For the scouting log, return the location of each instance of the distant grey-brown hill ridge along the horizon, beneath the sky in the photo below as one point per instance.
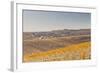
(58, 33)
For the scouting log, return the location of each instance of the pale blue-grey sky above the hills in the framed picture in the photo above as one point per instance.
(37, 21)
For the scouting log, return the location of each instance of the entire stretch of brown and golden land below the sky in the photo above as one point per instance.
(57, 45)
